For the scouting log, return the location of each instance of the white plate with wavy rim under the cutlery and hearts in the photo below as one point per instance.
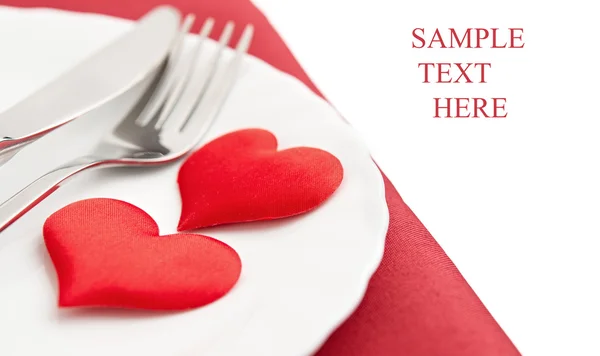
(301, 277)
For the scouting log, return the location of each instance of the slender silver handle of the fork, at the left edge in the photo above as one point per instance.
(19, 204)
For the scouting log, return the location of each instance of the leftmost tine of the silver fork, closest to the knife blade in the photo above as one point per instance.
(168, 78)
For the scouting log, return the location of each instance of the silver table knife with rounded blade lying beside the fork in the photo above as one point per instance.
(96, 80)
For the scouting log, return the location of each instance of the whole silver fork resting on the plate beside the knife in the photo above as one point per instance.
(163, 126)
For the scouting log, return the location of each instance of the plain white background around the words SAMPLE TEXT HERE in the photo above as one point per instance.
(514, 202)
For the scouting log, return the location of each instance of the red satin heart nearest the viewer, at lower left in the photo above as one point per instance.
(109, 253)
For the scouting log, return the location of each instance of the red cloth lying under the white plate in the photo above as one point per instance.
(417, 302)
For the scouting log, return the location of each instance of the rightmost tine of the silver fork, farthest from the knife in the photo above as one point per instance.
(217, 92)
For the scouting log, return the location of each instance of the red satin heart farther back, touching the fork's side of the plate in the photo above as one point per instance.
(241, 177)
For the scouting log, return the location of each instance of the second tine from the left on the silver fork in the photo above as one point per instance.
(185, 76)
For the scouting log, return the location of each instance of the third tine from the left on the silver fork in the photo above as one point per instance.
(196, 87)
